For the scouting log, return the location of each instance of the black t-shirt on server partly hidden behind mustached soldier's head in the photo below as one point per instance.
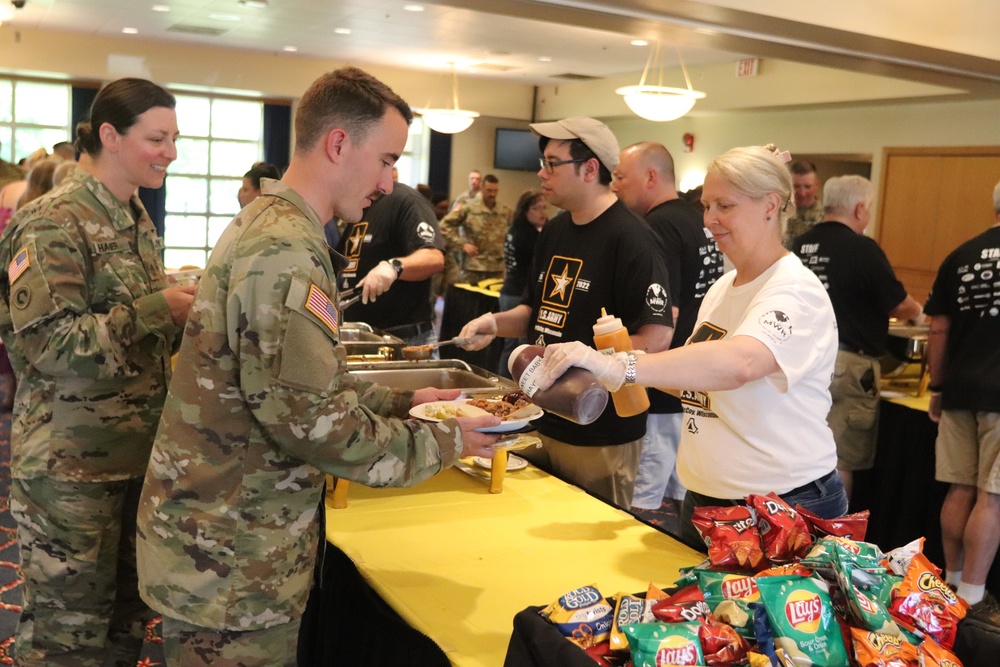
(395, 225)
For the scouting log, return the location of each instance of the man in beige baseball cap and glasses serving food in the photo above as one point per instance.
(595, 254)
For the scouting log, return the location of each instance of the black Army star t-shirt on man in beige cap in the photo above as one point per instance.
(612, 262)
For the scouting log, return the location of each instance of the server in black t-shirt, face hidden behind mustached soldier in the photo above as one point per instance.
(396, 245)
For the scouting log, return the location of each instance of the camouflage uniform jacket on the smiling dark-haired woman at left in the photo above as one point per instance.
(88, 332)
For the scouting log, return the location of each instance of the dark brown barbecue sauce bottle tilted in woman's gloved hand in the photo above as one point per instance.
(577, 396)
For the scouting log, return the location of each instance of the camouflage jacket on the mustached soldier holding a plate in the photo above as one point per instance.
(261, 406)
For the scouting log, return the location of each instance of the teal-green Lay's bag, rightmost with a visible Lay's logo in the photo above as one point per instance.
(803, 621)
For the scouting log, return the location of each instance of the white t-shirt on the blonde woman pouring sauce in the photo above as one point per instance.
(770, 434)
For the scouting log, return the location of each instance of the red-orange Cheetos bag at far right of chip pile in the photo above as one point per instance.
(926, 604)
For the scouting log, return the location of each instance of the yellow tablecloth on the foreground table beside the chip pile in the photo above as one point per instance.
(458, 563)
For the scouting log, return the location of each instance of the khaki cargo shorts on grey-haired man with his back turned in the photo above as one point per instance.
(853, 416)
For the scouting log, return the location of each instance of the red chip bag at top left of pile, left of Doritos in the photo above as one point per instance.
(732, 537)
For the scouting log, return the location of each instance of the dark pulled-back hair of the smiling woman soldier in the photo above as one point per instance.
(120, 103)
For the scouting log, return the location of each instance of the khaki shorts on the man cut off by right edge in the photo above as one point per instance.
(968, 449)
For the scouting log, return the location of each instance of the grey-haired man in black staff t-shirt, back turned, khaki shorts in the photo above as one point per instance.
(865, 293)
